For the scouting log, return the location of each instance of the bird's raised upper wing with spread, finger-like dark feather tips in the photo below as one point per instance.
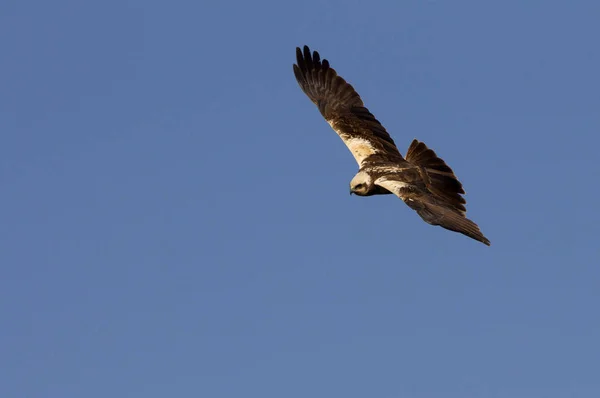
(343, 109)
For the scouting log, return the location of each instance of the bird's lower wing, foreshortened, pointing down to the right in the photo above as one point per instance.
(431, 210)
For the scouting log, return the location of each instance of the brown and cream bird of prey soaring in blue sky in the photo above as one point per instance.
(421, 179)
